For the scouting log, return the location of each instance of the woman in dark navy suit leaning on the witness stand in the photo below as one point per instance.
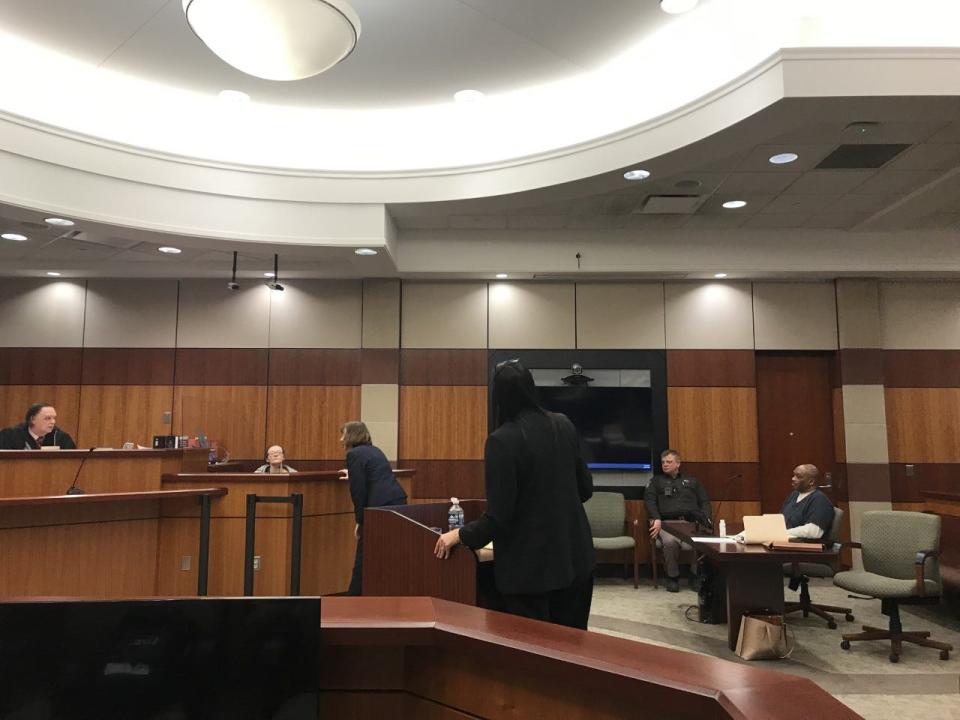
(372, 484)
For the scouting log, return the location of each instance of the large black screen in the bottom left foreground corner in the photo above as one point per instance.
(238, 658)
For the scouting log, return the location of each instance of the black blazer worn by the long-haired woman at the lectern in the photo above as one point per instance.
(536, 486)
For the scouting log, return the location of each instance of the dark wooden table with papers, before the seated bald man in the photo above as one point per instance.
(749, 577)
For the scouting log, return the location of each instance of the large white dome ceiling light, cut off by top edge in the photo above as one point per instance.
(276, 39)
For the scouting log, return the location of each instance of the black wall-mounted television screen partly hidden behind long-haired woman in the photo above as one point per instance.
(615, 423)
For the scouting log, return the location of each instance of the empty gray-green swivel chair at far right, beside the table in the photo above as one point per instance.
(900, 552)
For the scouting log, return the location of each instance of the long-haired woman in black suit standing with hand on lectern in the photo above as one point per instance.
(536, 486)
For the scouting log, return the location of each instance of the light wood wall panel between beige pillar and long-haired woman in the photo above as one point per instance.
(442, 423)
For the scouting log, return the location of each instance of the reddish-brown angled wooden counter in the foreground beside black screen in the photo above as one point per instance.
(417, 657)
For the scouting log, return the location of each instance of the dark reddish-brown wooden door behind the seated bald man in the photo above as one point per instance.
(795, 418)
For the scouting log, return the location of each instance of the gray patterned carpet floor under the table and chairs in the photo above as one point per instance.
(919, 686)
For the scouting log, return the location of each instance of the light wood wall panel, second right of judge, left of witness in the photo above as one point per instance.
(233, 416)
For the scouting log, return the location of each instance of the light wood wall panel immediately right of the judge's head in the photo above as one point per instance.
(113, 414)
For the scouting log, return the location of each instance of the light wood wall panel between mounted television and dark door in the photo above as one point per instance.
(713, 424)
